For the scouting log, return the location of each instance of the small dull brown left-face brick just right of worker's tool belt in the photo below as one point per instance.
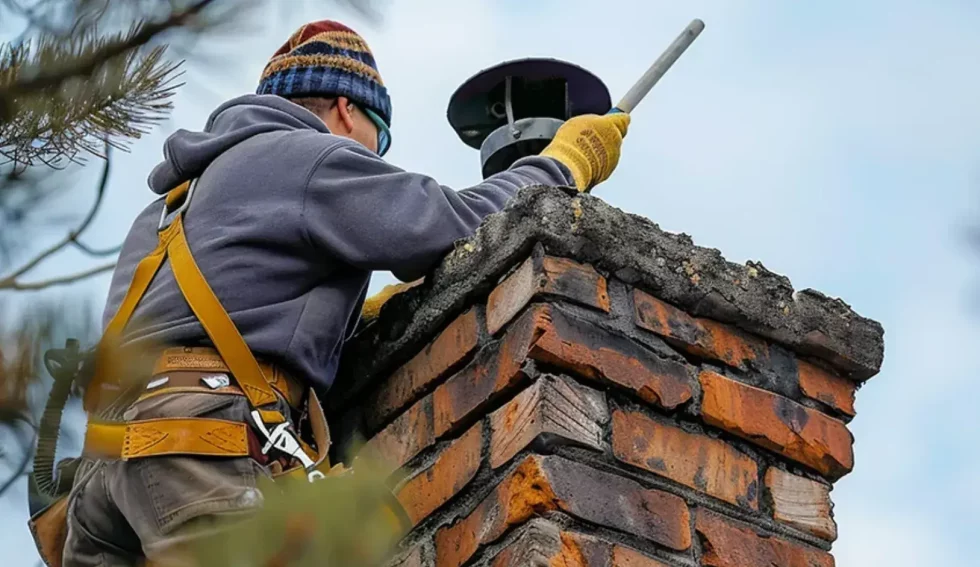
(405, 437)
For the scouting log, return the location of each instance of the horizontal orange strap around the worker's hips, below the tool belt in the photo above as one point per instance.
(168, 436)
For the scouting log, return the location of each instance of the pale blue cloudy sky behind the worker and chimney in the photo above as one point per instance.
(836, 142)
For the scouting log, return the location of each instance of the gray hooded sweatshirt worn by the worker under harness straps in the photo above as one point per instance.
(288, 221)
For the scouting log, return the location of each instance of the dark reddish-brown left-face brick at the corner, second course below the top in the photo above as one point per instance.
(495, 368)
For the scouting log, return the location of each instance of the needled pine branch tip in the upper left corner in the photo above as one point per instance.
(119, 100)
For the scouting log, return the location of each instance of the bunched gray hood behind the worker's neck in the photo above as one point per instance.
(186, 154)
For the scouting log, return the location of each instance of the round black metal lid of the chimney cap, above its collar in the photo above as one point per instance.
(543, 88)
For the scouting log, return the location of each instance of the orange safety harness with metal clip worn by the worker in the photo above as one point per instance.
(109, 439)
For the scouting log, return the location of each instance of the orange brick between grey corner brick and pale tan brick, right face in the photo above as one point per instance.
(697, 461)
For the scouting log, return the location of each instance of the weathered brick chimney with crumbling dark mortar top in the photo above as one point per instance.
(575, 387)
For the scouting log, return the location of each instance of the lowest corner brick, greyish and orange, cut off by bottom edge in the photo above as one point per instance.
(544, 543)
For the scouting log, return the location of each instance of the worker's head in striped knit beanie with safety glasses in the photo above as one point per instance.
(329, 70)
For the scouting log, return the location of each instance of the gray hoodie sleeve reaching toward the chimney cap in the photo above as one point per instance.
(377, 217)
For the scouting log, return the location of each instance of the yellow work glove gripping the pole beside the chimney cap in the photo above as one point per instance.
(589, 146)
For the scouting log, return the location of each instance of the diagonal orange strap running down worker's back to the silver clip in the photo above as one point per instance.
(219, 326)
